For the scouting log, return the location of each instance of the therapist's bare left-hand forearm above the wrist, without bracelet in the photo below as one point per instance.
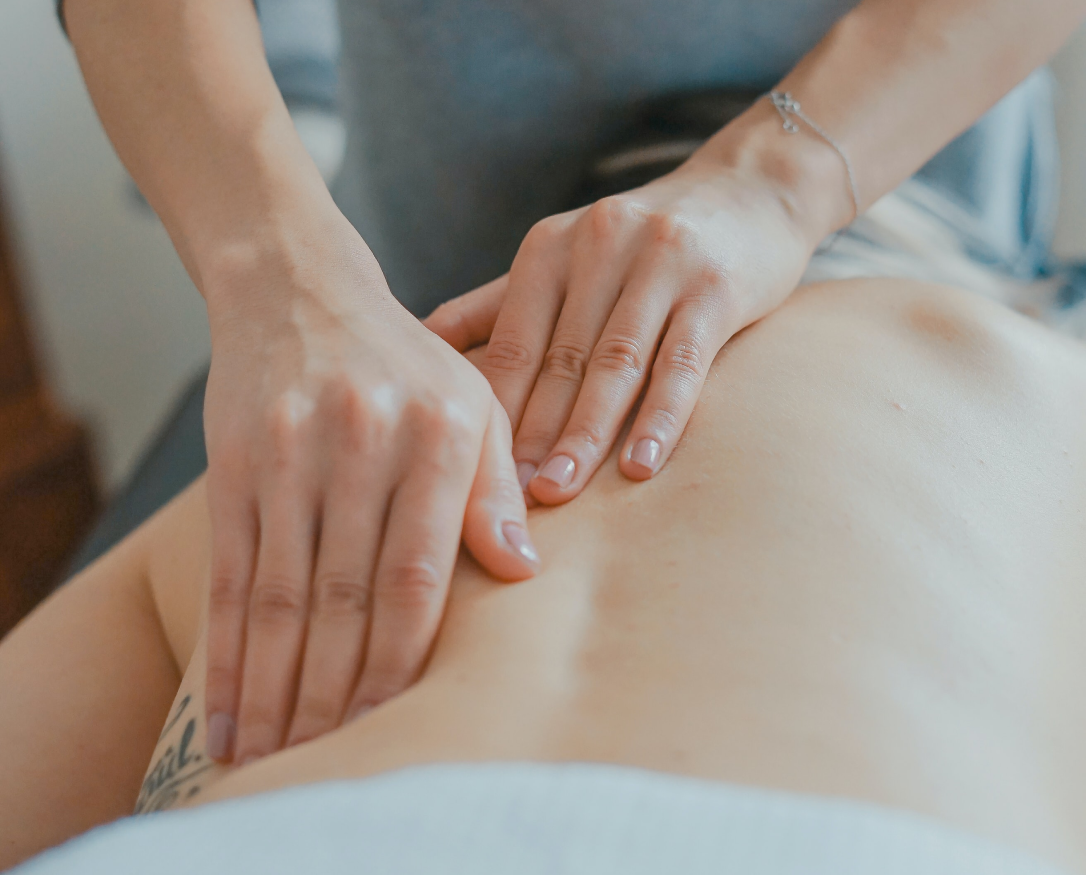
(186, 96)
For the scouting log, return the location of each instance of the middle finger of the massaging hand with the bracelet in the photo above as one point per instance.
(599, 267)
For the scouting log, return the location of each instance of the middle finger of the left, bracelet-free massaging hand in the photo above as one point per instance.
(353, 525)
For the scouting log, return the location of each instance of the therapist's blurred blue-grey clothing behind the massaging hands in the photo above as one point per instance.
(471, 120)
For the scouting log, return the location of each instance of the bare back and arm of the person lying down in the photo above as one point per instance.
(860, 577)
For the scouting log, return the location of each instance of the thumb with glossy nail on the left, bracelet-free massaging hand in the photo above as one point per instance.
(496, 523)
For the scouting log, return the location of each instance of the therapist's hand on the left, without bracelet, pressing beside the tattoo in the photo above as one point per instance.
(349, 450)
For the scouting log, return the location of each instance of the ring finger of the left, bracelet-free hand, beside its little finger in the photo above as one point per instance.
(279, 607)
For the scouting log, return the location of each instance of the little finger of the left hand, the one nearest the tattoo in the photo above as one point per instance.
(234, 549)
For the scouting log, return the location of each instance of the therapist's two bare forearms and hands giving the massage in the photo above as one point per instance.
(350, 449)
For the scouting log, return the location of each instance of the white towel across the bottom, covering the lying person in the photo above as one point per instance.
(532, 819)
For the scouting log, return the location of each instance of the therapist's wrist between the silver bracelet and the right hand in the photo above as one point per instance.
(805, 174)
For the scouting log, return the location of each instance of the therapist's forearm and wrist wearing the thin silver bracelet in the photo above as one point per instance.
(893, 83)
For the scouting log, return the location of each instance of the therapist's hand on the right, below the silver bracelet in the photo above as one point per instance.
(639, 288)
